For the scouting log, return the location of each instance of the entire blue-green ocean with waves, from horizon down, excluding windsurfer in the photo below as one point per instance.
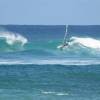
(33, 68)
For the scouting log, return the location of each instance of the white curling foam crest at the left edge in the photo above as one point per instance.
(12, 38)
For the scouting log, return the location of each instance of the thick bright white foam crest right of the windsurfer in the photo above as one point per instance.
(88, 42)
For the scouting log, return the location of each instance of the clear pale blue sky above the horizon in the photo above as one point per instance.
(50, 12)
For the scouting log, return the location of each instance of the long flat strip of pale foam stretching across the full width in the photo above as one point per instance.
(50, 62)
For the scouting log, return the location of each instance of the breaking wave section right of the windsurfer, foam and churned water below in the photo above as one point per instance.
(82, 47)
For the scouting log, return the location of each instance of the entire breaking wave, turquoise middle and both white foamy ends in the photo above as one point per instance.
(78, 46)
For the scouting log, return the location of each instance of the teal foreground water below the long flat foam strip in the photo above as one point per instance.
(49, 82)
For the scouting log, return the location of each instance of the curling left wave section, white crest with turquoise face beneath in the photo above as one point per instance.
(11, 41)
